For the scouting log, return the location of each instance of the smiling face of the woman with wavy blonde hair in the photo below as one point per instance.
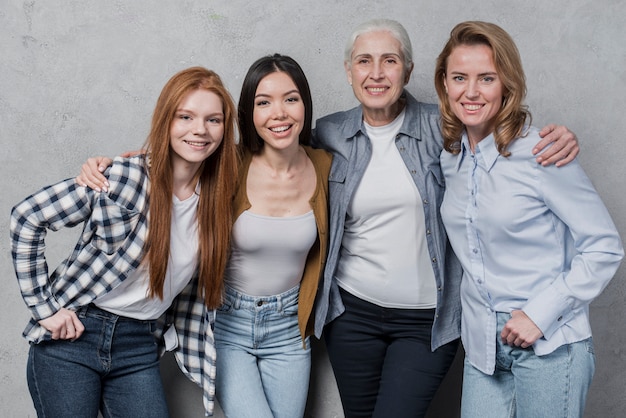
(474, 89)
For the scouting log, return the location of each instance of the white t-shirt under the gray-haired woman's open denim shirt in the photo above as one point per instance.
(384, 254)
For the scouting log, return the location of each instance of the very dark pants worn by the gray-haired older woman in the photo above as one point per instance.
(382, 359)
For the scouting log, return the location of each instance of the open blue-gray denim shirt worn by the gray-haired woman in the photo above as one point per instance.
(420, 144)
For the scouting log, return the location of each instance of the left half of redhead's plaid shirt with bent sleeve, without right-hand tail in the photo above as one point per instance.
(110, 246)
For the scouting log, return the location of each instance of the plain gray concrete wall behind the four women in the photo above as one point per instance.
(80, 78)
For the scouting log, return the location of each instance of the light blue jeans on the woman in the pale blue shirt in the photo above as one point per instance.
(525, 385)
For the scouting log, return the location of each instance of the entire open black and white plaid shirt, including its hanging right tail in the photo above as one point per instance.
(109, 248)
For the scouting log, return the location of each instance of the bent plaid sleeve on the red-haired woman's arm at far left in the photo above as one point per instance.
(60, 205)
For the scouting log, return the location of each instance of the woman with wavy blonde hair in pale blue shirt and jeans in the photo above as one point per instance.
(536, 243)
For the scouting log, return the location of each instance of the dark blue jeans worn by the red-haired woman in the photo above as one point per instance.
(113, 367)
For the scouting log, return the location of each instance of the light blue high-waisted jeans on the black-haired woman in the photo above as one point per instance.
(262, 367)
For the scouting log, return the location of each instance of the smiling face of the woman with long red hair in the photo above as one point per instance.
(197, 129)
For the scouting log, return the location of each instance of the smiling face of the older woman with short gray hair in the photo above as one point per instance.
(377, 74)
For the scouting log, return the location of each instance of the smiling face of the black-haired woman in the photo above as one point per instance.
(278, 111)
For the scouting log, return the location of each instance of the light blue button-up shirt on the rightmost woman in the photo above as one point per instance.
(528, 237)
